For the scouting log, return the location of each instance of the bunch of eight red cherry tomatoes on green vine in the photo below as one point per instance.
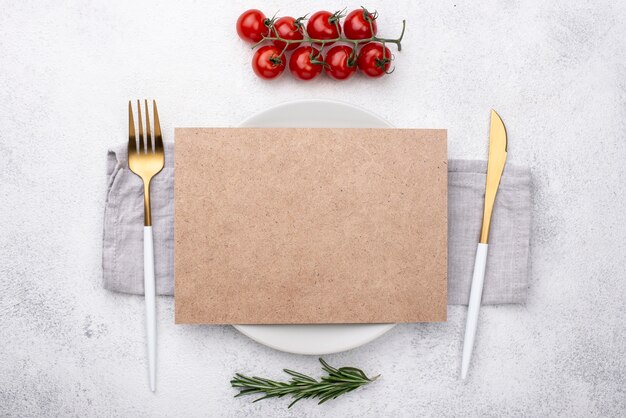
(359, 46)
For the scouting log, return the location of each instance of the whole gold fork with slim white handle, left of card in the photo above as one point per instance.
(146, 161)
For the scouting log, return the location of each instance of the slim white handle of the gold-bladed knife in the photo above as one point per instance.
(476, 293)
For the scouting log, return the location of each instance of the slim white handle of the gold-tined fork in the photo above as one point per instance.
(150, 296)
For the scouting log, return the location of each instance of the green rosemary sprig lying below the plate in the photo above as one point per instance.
(338, 382)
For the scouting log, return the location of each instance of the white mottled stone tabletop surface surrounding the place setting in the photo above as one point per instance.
(555, 70)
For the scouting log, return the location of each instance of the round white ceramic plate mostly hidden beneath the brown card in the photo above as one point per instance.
(315, 339)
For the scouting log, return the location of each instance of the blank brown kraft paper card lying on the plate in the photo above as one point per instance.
(310, 226)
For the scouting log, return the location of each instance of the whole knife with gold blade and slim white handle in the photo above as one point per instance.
(495, 167)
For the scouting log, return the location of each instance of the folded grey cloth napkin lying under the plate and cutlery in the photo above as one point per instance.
(507, 275)
